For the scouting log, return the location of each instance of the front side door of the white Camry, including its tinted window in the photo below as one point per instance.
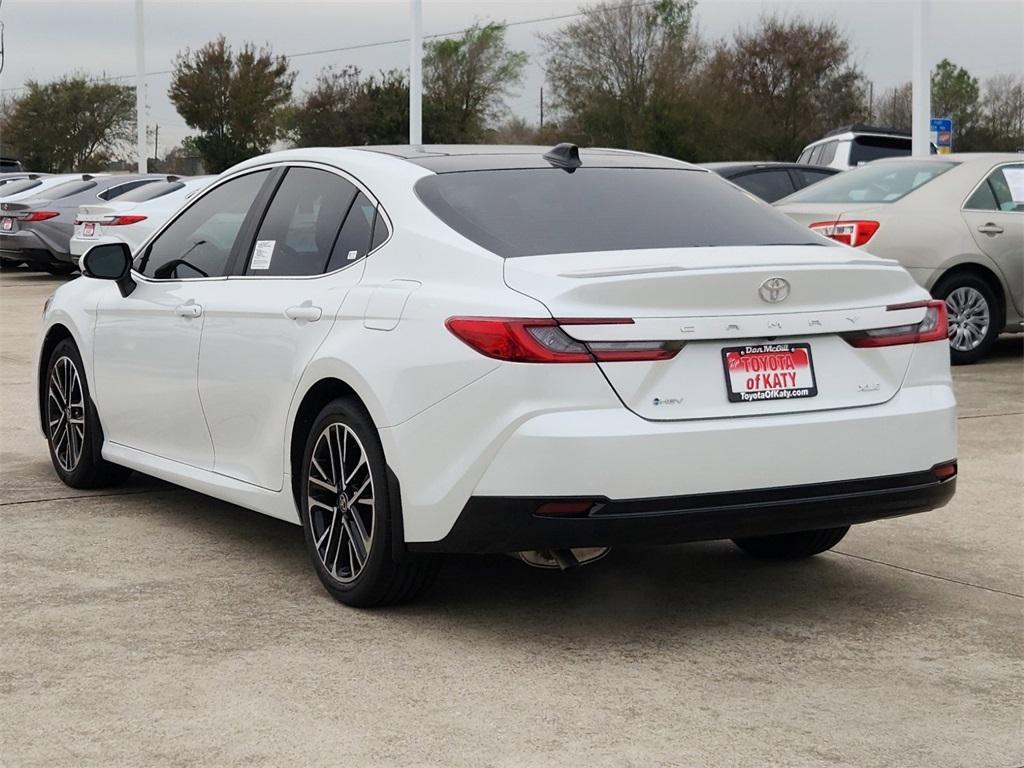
(148, 345)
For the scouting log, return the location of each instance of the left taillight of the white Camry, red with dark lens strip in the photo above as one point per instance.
(543, 340)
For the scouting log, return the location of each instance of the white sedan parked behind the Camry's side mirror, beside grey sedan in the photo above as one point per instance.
(134, 217)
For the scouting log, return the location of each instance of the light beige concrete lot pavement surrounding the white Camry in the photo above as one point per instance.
(151, 626)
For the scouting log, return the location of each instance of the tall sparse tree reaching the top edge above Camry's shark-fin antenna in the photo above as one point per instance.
(622, 75)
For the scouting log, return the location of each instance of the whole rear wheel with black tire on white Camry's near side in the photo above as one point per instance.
(330, 509)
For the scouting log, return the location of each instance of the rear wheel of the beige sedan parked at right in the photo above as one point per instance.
(974, 317)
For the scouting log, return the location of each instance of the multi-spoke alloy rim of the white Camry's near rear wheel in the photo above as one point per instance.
(340, 502)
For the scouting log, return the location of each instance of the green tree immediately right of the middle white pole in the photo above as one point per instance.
(466, 81)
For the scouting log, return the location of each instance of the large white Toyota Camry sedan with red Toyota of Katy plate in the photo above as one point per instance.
(412, 352)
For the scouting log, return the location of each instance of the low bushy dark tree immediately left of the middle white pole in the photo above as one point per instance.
(344, 109)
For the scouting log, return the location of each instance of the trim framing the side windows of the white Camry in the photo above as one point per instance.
(239, 258)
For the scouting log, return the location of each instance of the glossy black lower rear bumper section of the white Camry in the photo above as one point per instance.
(511, 524)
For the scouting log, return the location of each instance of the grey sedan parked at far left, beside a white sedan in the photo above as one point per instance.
(37, 231)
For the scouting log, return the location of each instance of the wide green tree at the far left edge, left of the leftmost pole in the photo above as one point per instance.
(71, 124)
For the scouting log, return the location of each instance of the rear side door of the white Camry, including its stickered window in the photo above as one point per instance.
(264, 328)
